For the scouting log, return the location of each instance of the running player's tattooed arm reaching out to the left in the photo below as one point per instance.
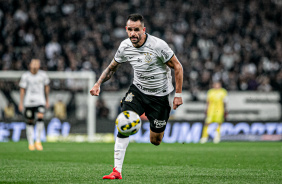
(106, 75)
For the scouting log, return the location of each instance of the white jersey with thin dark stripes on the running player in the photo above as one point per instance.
(151, 75)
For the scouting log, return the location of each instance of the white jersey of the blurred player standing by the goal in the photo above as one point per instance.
(34, 86)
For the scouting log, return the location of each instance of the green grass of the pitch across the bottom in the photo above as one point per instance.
(233, 162)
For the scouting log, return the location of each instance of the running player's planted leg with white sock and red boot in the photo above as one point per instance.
(131, 101)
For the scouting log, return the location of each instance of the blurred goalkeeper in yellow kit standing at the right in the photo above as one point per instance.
(215, 111)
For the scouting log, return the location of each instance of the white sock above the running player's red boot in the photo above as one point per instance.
(120, 148)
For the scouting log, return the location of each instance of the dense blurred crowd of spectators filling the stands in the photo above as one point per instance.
(237, 42)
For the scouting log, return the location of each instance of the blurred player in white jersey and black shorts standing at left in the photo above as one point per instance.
(34, 90)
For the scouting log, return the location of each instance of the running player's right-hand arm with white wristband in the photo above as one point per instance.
(178, 71)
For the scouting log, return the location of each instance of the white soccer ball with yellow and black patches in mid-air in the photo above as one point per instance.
(128, 123)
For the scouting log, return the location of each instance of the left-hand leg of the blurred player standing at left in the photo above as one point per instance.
(29, 114)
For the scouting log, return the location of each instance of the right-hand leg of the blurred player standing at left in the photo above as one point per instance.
(39, 127)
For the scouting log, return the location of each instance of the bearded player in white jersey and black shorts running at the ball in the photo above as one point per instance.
(151, 59)
